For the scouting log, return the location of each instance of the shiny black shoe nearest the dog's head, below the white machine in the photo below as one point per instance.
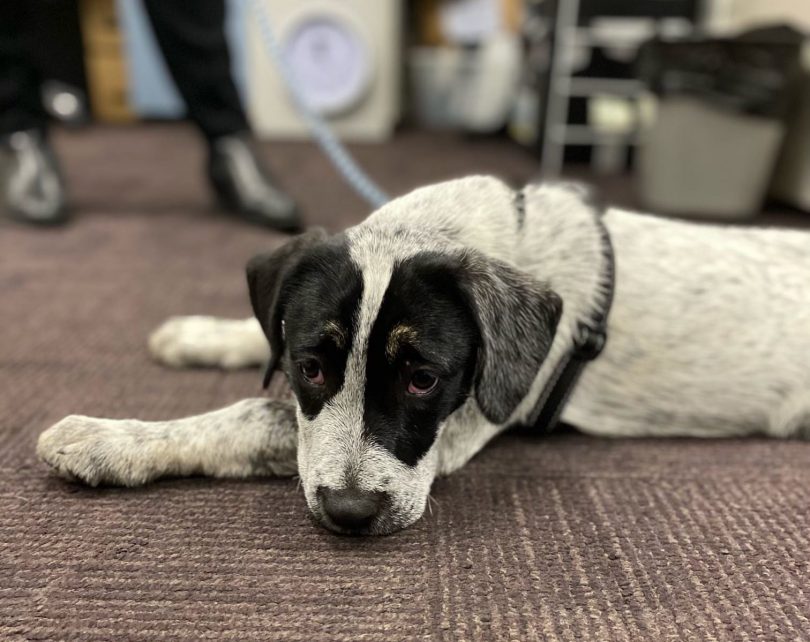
(244, 186)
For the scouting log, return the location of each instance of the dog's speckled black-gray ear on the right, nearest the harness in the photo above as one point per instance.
(517, 316)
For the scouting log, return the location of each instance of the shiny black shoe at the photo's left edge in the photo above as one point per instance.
(31, 186)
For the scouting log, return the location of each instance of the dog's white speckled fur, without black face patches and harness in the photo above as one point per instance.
(709, 335)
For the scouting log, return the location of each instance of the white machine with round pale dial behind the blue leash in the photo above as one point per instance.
(345, 59)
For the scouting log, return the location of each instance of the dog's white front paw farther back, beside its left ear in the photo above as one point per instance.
(183, 342)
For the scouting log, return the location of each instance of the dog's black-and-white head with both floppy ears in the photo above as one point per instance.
(382, 340)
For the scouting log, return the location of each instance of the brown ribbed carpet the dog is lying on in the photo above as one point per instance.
(564, 538)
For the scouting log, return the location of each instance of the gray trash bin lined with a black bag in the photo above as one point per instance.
(719, 124)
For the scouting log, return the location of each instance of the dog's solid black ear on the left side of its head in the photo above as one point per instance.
(266, 275)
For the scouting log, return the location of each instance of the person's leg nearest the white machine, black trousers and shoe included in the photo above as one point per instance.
(191, 36)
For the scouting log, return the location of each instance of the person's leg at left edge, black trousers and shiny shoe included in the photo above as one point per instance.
(31, 188)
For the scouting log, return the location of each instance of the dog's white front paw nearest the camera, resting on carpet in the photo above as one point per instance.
(95, 451)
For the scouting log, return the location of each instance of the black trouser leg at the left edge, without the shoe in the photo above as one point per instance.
(20, 102)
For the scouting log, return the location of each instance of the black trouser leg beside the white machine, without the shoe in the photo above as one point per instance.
(192, 37)
